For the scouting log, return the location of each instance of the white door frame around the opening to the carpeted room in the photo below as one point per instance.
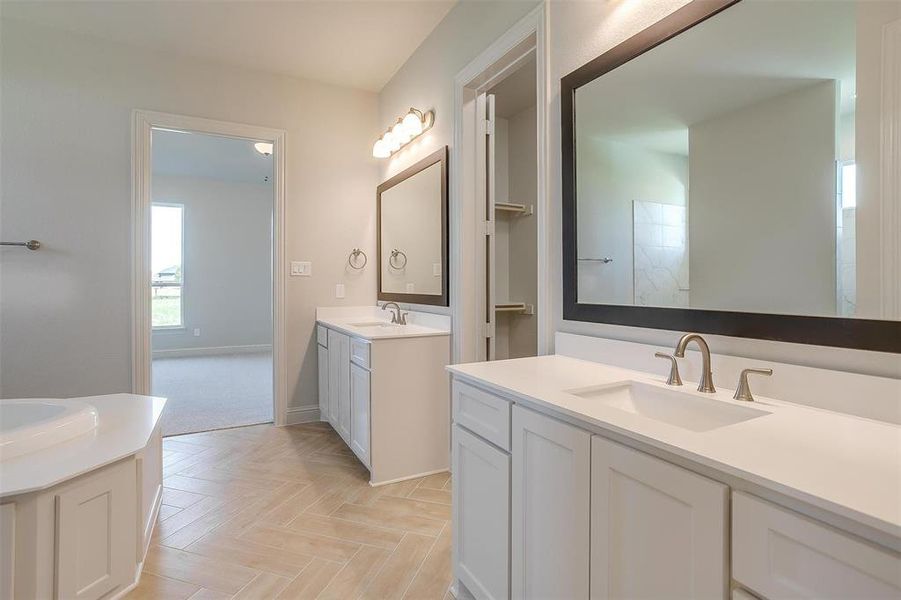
(143, 121)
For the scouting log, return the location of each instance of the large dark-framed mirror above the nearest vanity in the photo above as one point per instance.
(730, 170)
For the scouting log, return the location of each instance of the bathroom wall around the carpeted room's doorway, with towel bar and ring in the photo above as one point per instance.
(65, 117)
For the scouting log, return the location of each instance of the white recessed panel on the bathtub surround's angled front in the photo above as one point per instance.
(96, 533)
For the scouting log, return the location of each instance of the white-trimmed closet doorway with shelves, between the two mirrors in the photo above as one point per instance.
(500, 295)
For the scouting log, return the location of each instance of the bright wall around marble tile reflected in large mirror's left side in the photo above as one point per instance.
(611, 176)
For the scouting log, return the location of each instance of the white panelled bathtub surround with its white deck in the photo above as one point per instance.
(76, 516)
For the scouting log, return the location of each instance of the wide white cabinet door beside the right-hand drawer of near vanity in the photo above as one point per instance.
(657, 530)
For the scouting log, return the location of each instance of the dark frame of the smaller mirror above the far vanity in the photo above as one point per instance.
(443, 299)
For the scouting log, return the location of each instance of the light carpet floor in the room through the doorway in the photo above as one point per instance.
(214, 392)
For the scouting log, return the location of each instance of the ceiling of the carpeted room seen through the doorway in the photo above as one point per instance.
(208, 156)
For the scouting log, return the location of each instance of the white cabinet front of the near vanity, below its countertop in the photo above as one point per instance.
(590, 517)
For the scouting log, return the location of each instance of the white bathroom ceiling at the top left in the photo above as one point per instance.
(304, 39)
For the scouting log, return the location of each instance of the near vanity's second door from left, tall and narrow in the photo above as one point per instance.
(550, 507)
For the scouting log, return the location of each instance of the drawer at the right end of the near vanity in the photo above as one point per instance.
(780, 554)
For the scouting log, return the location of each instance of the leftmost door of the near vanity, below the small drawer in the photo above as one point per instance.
(481, 501)
